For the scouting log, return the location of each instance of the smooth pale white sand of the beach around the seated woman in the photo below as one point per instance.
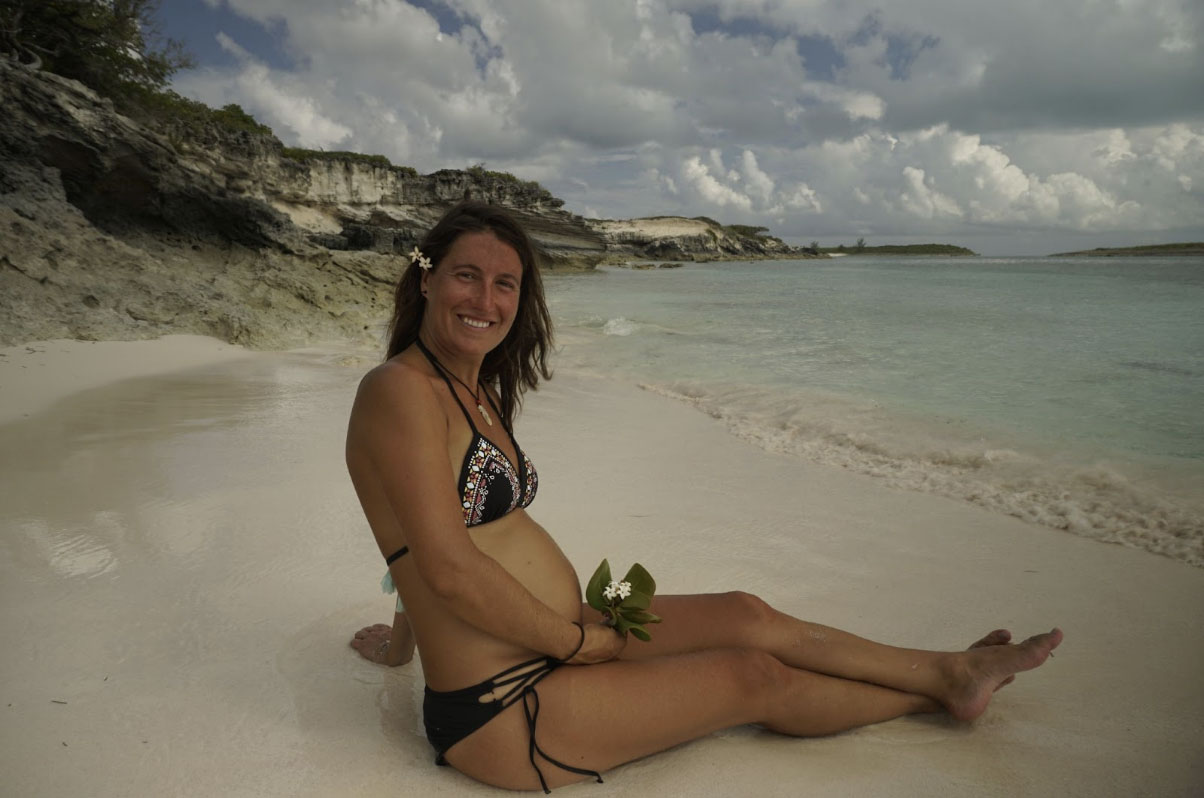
(182, 561)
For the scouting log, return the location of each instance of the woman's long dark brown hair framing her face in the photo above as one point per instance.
(516, 365)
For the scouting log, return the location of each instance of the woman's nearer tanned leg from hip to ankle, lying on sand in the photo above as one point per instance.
(604, 716)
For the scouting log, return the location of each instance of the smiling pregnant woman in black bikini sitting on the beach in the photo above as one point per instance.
(526, 687)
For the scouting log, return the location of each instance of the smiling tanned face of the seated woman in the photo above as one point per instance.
(473, 295)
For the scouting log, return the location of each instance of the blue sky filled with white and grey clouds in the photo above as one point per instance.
(1010, 127)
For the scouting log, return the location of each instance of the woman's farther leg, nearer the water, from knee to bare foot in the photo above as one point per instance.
(963, 682)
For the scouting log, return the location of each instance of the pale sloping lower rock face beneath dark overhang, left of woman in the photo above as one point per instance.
(63, 277)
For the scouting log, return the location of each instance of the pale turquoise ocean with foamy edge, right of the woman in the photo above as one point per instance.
(1066, 392)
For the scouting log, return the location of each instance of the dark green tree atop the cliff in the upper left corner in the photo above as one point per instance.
(113, 46)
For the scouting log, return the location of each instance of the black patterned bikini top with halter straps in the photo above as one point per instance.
(489, 484)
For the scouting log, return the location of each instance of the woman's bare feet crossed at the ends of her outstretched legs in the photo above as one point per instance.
(985, 667)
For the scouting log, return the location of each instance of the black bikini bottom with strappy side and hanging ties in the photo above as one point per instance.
(453, 716)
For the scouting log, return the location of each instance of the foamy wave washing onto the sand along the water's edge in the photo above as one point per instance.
(1093, 498)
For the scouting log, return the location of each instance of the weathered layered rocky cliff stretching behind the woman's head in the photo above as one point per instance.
(111, 229)
